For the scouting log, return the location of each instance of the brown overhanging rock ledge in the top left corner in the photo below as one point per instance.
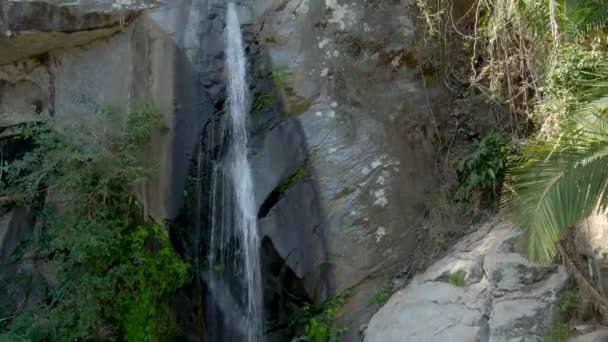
(31, 28)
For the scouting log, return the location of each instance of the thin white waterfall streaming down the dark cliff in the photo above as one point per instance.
(234, 258)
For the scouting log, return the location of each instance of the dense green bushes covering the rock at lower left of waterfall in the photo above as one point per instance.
(109, 269)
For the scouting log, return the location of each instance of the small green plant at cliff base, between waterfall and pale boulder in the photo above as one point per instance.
(321, 326)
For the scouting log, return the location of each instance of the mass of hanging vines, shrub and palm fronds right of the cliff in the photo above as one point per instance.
(542, 65)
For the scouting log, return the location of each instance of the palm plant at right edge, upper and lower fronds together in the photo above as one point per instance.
(564, 179)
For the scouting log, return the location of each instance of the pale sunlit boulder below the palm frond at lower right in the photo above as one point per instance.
(502, 297)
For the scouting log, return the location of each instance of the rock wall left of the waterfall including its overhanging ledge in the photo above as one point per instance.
(153, 59)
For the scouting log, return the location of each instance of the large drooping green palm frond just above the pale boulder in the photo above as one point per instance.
(558, 189)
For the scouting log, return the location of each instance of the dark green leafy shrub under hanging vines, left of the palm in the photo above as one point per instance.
(483, 169)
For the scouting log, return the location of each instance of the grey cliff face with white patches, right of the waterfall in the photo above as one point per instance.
(354, 106)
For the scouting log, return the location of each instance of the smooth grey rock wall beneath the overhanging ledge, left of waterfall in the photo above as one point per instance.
(154, 59)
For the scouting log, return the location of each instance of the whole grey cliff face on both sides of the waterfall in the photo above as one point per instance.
(342, 136)
